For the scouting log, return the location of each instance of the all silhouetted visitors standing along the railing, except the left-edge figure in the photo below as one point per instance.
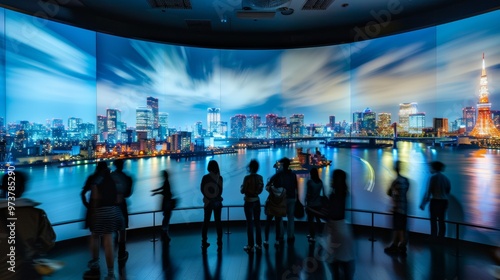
(107, 210)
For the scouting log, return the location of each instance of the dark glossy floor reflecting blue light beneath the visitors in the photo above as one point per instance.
(183, 258)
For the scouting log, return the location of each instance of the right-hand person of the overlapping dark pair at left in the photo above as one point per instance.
(123, 184)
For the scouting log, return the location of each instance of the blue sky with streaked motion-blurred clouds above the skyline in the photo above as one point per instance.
(58, 71)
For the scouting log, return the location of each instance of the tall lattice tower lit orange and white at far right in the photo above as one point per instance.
(484, 127)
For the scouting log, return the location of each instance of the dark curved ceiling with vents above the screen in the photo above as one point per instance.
(252, 24)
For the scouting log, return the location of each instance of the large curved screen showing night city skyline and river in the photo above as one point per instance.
(72, 96)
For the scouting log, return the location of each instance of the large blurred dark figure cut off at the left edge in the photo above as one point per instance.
(31, 230)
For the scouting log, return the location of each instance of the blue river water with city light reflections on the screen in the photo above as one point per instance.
(475, 185)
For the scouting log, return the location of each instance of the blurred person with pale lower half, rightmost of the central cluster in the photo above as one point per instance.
(339, 238)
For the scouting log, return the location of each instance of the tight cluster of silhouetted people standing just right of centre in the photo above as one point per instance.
(283, 194)
